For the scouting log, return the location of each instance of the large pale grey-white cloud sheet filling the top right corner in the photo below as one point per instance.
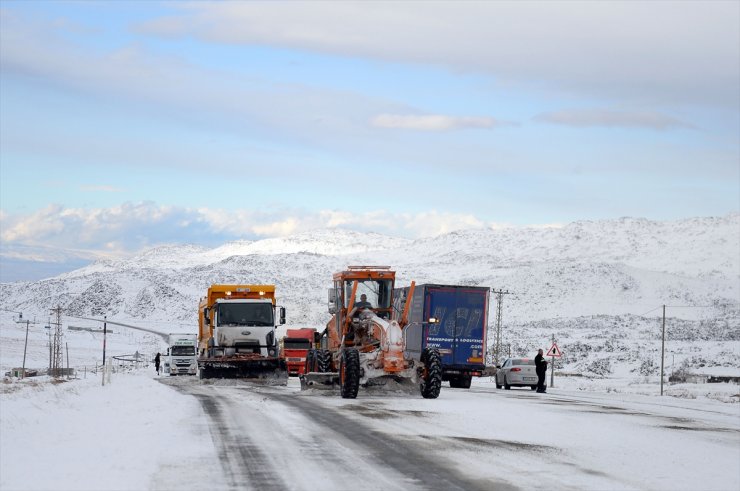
(678, 52)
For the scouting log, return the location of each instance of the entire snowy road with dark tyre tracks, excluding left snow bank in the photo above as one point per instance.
(282, 438)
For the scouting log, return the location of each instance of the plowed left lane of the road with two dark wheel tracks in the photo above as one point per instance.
(275, 438)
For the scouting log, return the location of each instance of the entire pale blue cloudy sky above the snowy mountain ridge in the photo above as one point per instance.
(125, 125)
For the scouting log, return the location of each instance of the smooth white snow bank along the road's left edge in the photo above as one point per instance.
(80, 435)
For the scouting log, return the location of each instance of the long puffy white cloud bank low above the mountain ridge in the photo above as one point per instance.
(131, 227)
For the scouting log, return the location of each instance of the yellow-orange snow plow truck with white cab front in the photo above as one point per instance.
(236, 335)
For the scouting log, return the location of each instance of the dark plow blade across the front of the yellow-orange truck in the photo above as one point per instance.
(244, 366)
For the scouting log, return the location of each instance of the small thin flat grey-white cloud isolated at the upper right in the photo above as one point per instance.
(613, 118)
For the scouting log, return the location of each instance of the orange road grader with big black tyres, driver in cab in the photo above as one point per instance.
(364, 342)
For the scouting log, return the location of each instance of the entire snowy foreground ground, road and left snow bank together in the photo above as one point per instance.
(142, 432)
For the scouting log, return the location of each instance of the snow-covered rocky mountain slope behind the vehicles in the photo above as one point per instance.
(585, 283)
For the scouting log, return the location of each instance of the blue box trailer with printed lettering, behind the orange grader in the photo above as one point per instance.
(459, 331)
